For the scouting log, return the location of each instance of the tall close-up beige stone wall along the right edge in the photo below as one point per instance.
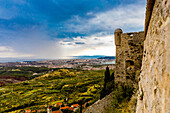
(154, 85)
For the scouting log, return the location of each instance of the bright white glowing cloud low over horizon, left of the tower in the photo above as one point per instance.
(92, 45)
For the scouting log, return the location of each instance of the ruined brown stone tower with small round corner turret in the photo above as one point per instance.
(129, 52)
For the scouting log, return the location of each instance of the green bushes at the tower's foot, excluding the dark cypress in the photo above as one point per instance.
(125, 97)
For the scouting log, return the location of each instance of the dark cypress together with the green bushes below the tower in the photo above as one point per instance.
(124, 96)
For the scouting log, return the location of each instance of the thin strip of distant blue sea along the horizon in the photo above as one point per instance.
(3, 60)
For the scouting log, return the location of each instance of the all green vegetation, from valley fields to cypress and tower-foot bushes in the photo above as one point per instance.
(68, 86)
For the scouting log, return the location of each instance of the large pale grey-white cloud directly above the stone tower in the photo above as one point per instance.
(123, 17)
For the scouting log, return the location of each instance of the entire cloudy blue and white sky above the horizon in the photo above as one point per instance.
(51, 29)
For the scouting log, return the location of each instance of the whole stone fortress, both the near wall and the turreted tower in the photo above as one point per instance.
(149, 53)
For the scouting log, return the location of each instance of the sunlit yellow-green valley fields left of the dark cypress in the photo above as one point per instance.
(76, 85)
